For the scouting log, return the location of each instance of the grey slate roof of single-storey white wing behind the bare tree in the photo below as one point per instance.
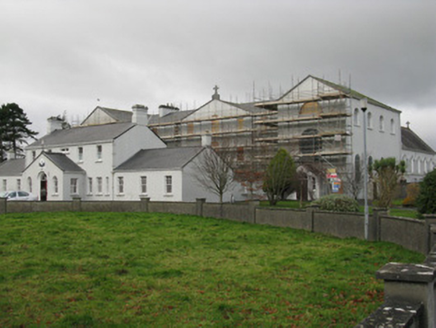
(160, 159)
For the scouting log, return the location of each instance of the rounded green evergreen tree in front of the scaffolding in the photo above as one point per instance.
(279, 176)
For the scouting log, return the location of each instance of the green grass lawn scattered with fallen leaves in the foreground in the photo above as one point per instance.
(163, 270)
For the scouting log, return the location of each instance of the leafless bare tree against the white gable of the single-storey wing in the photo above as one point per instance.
(214, 172)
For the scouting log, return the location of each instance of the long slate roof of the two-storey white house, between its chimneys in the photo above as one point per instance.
(82, 135)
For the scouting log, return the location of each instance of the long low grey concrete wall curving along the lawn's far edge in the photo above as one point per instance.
(409, 233)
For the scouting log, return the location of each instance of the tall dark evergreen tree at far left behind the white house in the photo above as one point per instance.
(14, 129)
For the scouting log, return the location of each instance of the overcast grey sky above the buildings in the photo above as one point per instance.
(61, 56)
